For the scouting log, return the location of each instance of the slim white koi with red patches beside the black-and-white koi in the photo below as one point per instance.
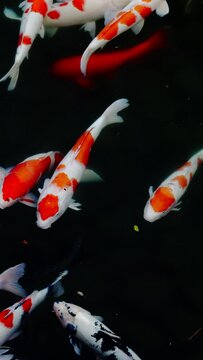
(13, 317)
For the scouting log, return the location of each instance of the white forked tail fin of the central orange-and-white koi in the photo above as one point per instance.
(110, 115)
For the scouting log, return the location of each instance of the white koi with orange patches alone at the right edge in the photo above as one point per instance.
(166, 197)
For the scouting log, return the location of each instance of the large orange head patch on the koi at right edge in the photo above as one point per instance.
(163, 198)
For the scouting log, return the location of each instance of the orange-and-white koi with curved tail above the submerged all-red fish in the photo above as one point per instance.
(132, 16)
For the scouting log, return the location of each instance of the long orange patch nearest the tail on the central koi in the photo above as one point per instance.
(83, 147)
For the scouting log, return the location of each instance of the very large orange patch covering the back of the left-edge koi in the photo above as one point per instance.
(23, 177)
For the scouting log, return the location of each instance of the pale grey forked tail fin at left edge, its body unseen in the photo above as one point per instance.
(9, 280)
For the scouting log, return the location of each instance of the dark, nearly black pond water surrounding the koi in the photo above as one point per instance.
(147, 285)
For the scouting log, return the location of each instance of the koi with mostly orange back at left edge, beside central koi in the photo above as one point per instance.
(15, 183)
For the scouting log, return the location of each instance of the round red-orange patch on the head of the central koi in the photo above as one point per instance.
(48, 206)
